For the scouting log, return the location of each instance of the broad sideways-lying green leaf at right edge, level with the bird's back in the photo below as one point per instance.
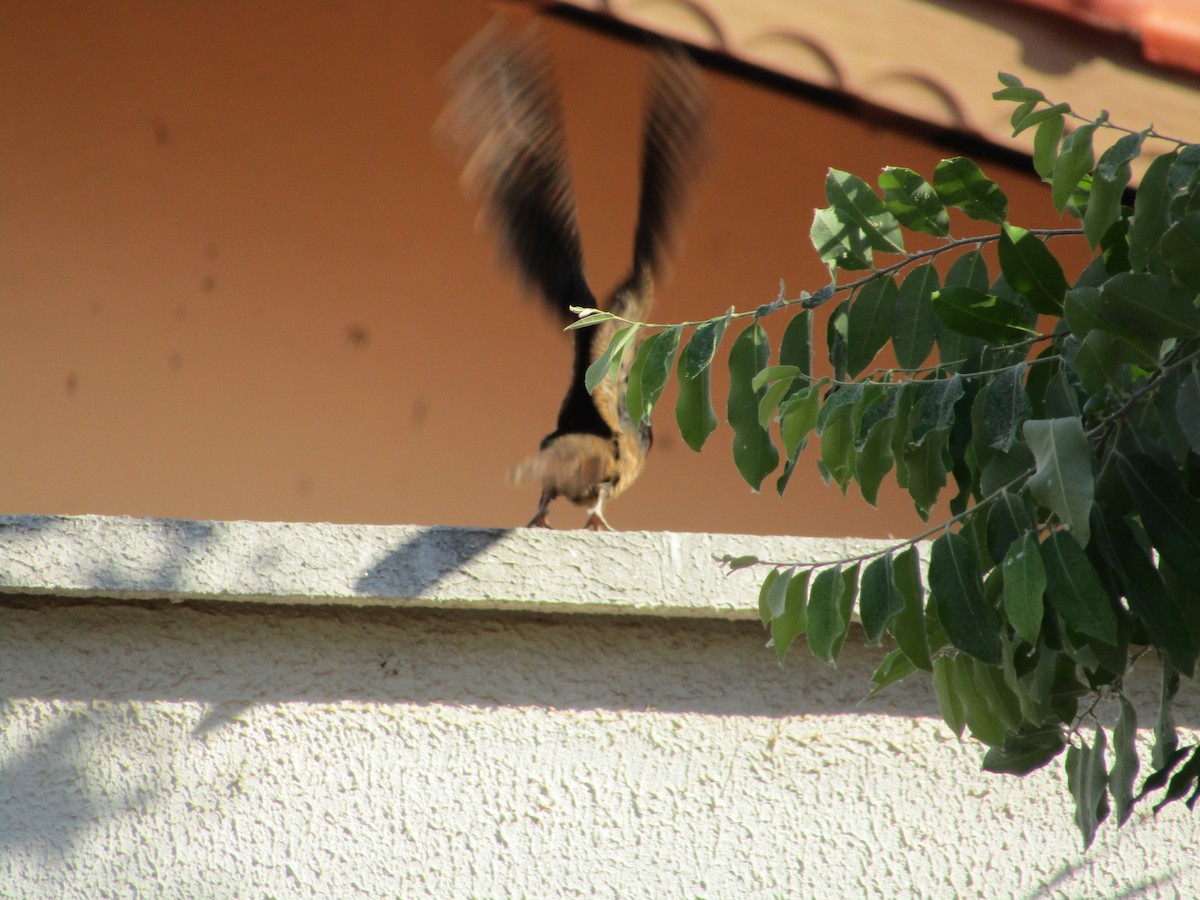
(1149, 307)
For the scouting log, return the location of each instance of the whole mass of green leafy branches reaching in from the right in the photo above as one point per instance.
(1059, 415)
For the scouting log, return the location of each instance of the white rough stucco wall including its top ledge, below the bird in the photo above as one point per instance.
(245, 742)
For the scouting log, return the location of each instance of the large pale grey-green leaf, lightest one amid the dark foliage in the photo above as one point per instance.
(1064, 481)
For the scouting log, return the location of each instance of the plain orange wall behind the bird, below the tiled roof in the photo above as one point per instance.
(239, 278)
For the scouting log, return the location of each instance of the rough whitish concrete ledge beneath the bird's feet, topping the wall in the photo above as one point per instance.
(629, 573)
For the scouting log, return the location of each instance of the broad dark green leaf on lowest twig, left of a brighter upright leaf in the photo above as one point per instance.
(955, 579)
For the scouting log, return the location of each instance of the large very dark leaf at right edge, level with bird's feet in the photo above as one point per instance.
(1171, 515)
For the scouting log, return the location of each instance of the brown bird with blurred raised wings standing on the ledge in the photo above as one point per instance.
(506, 117)
